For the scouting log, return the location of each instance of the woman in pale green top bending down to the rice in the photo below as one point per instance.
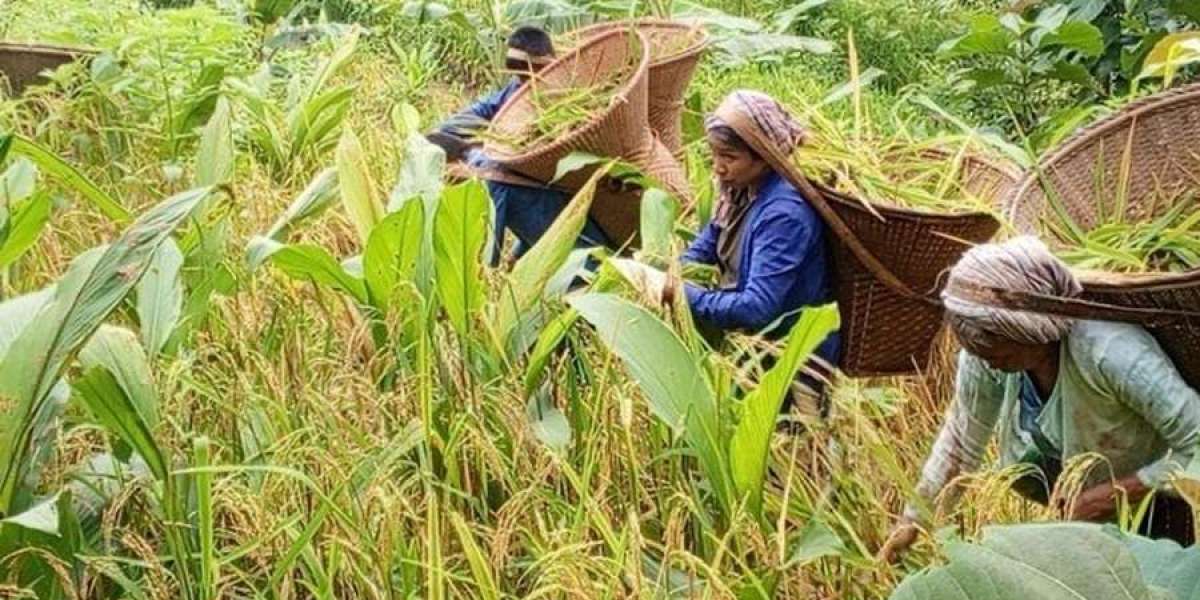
(1055, 389)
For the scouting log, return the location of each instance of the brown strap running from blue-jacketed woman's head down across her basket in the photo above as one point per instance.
(748, 131)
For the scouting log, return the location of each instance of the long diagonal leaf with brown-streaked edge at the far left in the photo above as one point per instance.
(93, 287)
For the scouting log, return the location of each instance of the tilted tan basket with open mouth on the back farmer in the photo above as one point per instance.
(622, 131)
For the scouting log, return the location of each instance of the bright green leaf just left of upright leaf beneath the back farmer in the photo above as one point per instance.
(393, 253)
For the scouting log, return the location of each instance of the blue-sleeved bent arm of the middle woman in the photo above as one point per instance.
(781, 244)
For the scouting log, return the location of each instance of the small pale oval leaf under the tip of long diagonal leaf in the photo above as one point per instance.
(161, 298)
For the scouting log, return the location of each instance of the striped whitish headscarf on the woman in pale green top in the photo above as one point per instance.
(1023, 265)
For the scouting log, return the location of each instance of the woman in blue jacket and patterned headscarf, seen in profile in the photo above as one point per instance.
(765, 239)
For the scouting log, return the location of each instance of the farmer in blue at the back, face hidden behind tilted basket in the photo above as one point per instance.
(527, 211)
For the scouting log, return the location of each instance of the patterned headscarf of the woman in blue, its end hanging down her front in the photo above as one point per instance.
(781, 130)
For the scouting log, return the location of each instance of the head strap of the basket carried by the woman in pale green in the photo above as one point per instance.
(1073, 308)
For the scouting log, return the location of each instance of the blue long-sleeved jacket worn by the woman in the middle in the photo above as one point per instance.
(784, 266)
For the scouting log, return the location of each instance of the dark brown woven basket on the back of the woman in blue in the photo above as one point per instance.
(886, 331)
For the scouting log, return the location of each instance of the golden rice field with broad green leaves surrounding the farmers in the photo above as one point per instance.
(250, 347)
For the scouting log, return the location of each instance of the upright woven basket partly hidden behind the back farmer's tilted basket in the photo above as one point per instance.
(669, 75)
